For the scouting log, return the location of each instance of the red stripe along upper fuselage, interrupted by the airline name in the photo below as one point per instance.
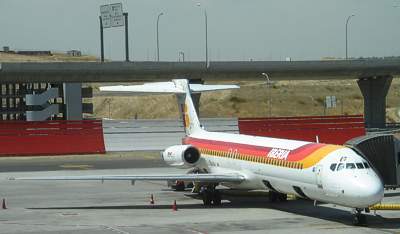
(260, 151)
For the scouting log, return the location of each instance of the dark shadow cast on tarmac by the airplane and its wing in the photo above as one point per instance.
(298, 207)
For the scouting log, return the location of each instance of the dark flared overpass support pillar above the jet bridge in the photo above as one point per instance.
(374, 90)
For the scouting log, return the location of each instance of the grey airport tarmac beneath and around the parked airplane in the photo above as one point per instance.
(119, 207)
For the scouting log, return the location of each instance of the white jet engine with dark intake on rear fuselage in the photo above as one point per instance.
(181, 156)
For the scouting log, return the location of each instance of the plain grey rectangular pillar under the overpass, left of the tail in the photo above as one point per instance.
(72, 101)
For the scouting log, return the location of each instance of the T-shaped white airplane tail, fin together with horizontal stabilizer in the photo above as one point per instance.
(182, 89)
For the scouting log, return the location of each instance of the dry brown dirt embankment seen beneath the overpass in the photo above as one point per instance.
(288, 98)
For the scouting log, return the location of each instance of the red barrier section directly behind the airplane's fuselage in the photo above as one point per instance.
(329, 129)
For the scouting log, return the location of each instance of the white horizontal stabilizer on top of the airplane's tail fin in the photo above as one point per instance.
(165, 88)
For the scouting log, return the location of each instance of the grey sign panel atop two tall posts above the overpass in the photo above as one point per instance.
(112, 15)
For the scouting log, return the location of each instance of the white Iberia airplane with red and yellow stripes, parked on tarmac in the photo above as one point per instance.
(320, 172)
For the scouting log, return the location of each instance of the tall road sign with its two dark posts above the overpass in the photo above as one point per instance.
(112, 15)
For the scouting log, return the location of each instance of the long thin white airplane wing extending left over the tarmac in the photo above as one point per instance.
(211, 178)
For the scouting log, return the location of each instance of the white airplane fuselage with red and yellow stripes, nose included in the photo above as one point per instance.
(322, 172)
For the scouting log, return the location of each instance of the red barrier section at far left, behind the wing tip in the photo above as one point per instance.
(21, 138)
